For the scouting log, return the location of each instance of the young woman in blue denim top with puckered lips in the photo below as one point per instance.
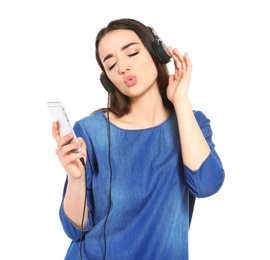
(130, 192)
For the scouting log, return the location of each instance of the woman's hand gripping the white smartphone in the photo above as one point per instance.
(70, 160)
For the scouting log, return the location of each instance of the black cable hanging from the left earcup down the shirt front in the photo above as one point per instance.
(110, 188)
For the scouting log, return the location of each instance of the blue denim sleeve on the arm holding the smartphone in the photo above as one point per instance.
(72, 231)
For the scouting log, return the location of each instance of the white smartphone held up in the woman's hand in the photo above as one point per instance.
(59, 115)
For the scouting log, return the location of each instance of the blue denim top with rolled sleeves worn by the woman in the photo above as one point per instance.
(152, 191)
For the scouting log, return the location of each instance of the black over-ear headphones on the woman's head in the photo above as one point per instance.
(160, 50)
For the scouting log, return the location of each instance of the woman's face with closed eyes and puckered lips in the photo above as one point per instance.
(127, 62)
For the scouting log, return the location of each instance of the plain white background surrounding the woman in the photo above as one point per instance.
(47, 53)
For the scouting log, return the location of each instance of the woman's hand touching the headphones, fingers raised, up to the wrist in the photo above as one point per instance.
(179, 82)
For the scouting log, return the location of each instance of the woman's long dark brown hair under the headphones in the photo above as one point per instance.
(119, 103)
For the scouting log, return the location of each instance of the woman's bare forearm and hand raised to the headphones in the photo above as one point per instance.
(193, 144)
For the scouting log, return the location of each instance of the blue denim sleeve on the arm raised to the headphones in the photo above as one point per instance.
(208, 179)
